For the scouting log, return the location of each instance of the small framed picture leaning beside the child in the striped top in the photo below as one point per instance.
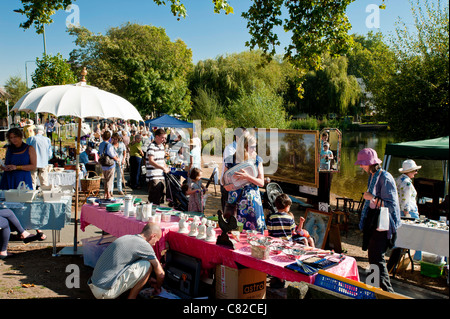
(318, 223)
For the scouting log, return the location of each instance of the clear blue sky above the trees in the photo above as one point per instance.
(206, 33)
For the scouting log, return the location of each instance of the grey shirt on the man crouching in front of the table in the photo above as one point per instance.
(120, 255)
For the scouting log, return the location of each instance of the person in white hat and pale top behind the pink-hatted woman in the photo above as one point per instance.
(406, 192)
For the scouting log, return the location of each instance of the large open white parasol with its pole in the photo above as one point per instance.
(78, 100)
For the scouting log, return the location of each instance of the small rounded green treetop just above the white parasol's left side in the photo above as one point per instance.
(52, 70)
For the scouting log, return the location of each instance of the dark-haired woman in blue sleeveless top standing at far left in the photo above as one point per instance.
(20, 160)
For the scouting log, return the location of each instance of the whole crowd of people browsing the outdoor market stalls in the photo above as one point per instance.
(120, 146)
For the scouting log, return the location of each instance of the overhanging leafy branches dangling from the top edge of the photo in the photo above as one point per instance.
(316, 27)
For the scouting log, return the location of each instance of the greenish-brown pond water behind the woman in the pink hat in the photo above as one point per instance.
(351, 180)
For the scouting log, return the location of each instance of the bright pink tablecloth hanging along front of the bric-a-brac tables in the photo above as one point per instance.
(210, 253)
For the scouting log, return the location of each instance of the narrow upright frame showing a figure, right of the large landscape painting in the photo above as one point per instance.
(330, 150)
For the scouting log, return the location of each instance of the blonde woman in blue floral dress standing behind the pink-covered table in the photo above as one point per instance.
(247, 198)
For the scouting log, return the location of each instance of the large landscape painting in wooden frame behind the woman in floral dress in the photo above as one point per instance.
(296, 159)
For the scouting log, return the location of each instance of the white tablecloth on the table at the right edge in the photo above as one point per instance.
(423, 238)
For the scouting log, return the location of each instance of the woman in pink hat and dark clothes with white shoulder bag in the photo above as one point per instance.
(381, 185)
